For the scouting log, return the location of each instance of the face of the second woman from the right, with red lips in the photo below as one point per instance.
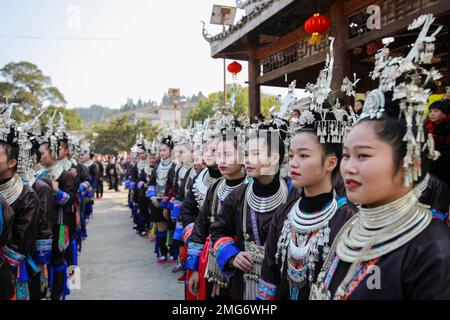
(306, 162)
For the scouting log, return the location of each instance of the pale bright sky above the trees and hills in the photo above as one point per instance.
(103, 51)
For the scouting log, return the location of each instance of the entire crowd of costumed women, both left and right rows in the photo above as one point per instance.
(319, 202)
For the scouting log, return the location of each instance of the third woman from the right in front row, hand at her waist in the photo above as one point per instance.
(240, 231)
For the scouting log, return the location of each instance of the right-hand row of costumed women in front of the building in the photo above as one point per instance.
(308, 205)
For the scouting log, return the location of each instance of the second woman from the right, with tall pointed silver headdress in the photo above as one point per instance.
(303, 230)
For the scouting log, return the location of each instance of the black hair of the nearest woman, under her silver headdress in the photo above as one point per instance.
(391, 128)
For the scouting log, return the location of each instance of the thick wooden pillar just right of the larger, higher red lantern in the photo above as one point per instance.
(342, 63)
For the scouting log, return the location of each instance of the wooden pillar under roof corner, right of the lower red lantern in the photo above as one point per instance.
(254, 89)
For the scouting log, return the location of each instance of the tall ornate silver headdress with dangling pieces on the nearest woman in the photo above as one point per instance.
(410, 93)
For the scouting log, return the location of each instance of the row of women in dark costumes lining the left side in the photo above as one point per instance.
(47, 185)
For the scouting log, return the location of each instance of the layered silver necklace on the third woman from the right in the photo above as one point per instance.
(266, 204)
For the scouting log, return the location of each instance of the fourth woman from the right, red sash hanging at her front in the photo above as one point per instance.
(207, 281)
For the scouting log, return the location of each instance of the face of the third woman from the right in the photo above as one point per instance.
(257, 160)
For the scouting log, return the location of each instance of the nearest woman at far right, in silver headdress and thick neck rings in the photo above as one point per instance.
(393, 248)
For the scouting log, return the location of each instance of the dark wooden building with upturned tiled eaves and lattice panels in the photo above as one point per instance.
(271, 37)
